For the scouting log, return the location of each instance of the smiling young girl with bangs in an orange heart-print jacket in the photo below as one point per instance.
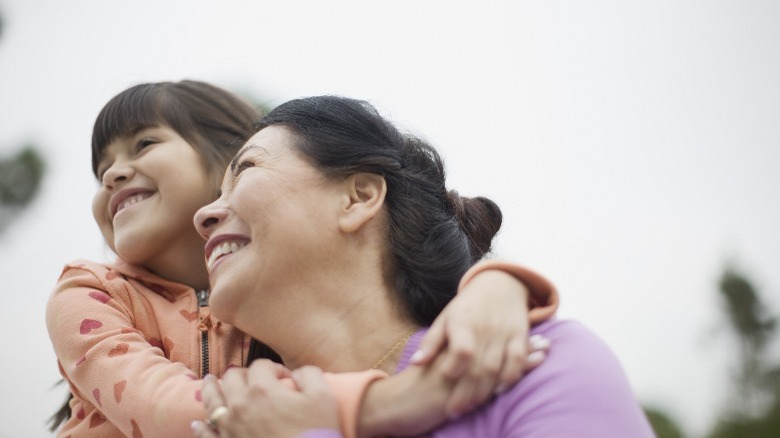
(133, 338)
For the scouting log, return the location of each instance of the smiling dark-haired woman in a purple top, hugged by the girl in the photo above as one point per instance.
(336, 242)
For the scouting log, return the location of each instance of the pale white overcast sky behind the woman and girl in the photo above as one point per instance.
(633, 147)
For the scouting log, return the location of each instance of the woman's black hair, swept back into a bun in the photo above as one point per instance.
(435, 235)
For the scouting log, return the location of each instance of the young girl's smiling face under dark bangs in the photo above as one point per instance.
(152, 183)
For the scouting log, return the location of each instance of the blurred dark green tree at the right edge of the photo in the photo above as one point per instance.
(753, 410)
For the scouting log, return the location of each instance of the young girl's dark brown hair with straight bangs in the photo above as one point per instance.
(213, 120)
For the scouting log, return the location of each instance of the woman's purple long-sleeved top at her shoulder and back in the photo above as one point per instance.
(580, 390)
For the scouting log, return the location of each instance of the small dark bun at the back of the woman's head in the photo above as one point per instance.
(480, 218)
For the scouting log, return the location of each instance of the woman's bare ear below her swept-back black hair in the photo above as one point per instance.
(365, 198)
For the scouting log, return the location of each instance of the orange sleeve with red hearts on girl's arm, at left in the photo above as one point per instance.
(118, 377)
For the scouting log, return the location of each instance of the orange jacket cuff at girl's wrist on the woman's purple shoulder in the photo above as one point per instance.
(542, 295)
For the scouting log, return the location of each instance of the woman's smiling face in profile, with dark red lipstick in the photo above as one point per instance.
(270, 230)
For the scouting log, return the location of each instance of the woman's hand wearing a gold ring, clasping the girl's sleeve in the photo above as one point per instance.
(260, 403)
